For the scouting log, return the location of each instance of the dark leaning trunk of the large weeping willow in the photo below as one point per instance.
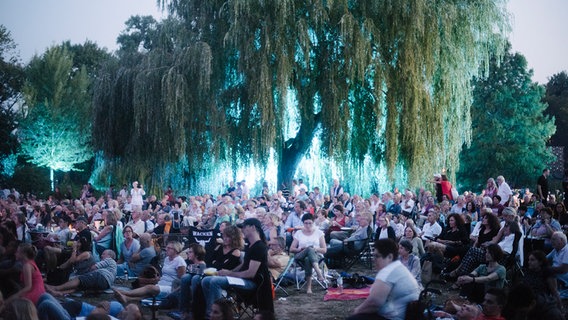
(294, 150)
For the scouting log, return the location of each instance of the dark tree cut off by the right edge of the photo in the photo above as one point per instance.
(557, 100)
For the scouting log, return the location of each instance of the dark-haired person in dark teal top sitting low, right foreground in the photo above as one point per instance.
(491, 274)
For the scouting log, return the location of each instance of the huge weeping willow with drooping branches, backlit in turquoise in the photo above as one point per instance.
(385, 80)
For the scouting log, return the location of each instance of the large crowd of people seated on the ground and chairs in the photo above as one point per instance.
(87, 243)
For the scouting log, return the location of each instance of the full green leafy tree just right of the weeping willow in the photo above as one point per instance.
(509, 127)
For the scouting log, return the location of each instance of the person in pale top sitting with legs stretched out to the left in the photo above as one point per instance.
(173, 269)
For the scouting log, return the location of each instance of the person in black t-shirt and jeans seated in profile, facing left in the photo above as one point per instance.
(252, 274)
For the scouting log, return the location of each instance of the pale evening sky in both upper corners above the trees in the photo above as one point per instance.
(539, 27)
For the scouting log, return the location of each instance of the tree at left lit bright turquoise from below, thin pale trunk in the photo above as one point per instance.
(55, 129)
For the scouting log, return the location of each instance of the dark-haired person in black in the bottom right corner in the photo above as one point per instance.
(542, 283)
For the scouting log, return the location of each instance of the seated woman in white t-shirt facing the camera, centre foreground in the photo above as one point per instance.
(308, 246)
